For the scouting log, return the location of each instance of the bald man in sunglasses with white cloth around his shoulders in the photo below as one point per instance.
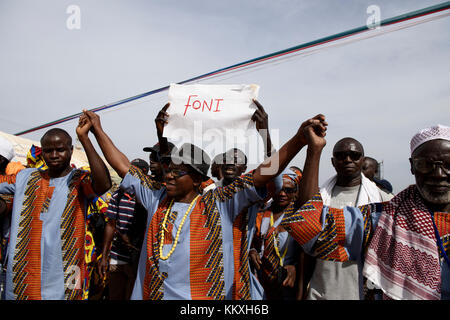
(349, 187)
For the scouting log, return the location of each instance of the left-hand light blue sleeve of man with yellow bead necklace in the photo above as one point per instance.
(145, 188)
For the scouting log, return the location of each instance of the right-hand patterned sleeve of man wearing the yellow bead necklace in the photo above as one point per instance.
(238, 195)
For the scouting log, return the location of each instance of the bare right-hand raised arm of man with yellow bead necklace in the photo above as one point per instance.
(274, 165)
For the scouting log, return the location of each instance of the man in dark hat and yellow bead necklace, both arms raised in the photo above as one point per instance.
(188, 250)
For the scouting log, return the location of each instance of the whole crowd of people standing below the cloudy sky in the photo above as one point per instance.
(182, 226)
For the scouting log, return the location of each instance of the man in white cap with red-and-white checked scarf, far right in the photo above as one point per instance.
(401, 245)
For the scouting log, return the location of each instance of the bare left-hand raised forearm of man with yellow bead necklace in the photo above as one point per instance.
(114, 156)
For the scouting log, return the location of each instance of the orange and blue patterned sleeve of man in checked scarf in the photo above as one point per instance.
(329, 233)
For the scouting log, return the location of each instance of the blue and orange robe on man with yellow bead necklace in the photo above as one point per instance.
(208, 261)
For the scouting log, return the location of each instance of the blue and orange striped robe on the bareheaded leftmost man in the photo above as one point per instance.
(46, 254)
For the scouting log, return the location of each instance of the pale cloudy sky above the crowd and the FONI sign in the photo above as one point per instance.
(380, 91)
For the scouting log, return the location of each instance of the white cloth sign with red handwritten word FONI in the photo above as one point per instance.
(213, 117)
